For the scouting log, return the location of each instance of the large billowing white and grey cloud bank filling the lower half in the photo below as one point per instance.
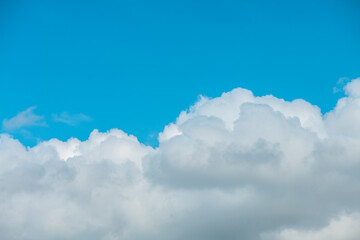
(232, 167)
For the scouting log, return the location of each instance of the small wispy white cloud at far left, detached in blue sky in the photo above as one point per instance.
(26, 118)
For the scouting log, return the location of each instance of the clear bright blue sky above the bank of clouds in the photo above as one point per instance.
(134, 65)
